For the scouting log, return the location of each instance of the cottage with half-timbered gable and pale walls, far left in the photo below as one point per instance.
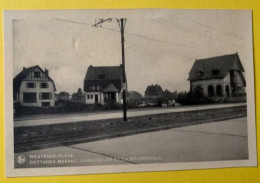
(33, 87)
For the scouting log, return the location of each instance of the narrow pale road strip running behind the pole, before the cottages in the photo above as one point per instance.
(110, 115)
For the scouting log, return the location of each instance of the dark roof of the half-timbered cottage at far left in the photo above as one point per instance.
(22, 75)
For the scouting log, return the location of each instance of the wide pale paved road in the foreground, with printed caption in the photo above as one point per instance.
(223, 140)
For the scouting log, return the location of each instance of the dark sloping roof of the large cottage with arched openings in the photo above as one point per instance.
(223, 64)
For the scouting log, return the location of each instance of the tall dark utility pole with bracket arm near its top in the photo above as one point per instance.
(121, 23)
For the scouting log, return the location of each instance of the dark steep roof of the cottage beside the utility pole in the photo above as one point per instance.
(104, 76)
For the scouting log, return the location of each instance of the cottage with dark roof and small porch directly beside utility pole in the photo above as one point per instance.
(103, 84)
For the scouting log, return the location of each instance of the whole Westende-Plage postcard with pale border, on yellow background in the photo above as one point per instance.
(106, 91)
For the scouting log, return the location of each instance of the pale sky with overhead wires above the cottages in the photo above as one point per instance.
(160, 45)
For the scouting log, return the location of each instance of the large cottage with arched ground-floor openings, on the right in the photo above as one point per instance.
(219, 78)
